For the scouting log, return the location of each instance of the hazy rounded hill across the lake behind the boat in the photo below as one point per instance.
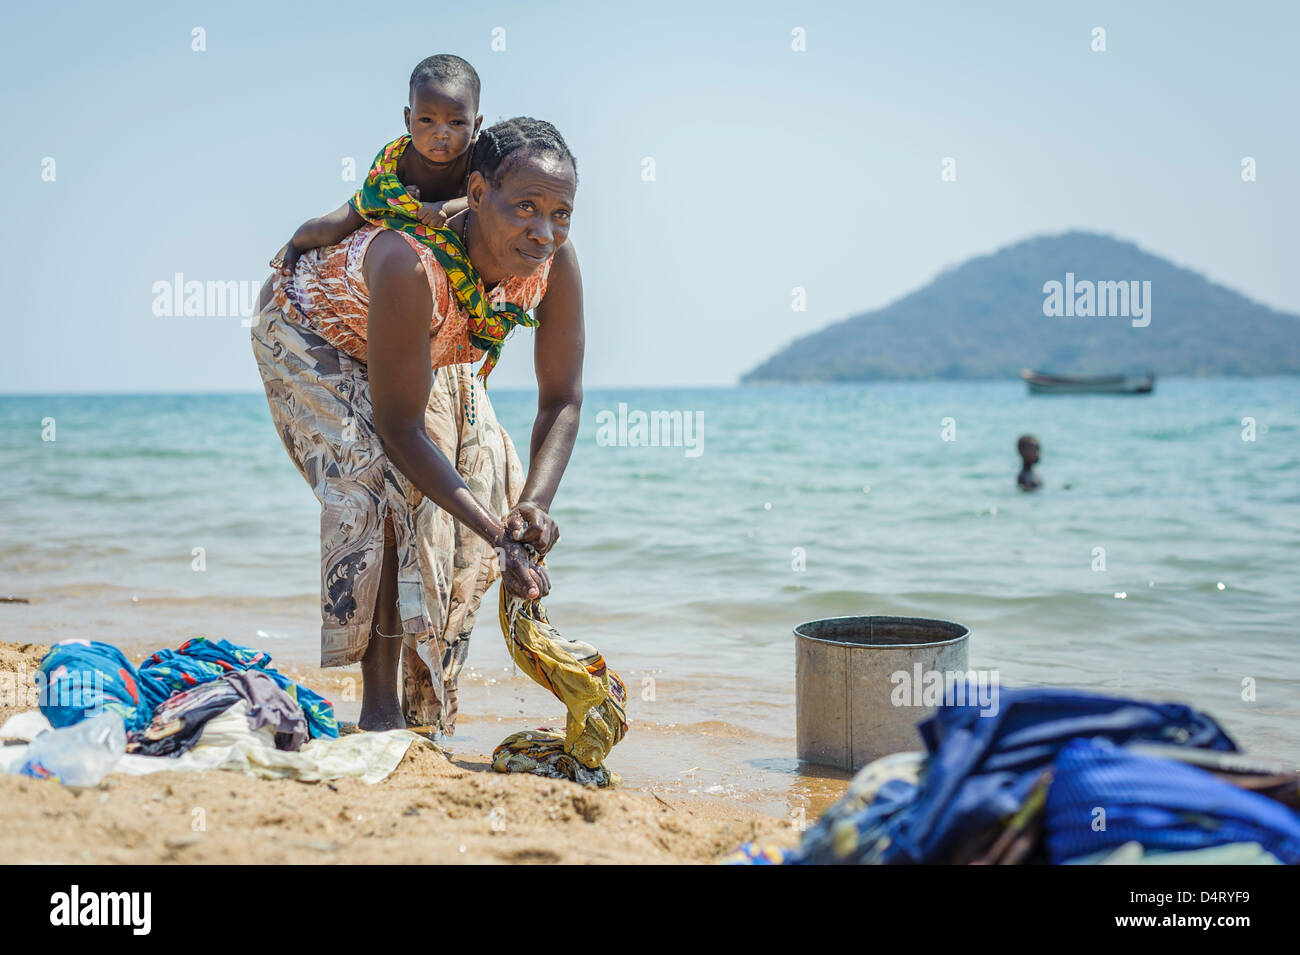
(985, 319)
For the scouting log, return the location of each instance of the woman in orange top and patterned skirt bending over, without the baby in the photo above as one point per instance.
(367, 361)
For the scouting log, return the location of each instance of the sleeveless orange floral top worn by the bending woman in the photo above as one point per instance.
(328, 296)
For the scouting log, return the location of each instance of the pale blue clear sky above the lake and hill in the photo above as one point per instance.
(794, 146)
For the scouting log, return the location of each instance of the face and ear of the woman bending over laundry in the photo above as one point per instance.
(522, 222)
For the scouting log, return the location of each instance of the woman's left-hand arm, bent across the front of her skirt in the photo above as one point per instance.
(401, 379)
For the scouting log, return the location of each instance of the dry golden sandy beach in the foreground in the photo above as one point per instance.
(434, 809)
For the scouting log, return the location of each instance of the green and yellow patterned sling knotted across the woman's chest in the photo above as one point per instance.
(384, 201)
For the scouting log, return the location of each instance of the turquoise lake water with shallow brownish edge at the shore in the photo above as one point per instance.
(1160, 561)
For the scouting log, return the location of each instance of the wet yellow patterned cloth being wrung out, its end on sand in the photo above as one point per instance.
(575, 672)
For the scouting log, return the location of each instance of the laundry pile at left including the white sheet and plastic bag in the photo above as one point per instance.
(209, 705)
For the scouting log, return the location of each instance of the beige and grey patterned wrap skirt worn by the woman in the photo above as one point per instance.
(320, 403)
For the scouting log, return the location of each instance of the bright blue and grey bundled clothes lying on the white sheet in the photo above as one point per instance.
(167, 704)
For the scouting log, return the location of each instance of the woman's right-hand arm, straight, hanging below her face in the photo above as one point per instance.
(558, 359)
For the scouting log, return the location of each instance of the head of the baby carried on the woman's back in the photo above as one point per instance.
(443, 116)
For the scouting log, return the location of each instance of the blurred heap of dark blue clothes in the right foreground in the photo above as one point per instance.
(1059, 776)
